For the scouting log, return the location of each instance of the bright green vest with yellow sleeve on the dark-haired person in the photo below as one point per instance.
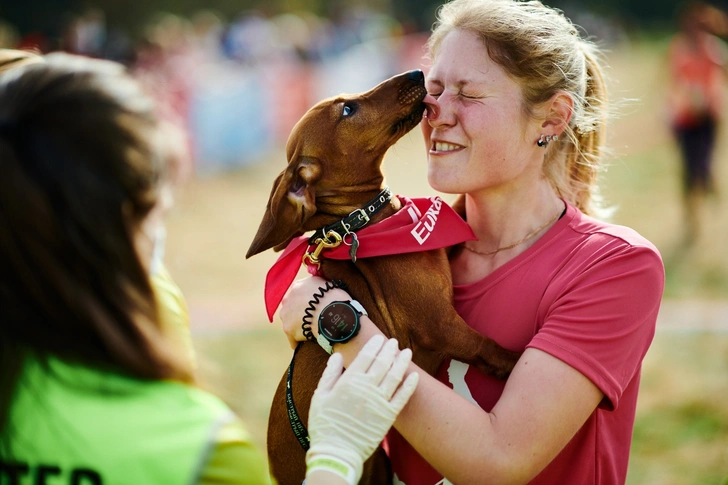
(70, 424)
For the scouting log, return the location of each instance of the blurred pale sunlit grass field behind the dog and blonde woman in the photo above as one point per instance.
(681, 434)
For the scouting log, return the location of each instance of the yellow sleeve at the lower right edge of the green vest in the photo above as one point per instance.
(235, 460)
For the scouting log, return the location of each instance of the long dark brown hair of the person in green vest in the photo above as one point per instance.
(80, 163)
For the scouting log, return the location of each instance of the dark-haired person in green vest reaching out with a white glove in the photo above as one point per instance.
(92, 387)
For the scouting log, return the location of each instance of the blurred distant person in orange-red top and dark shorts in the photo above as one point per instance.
(696, 101)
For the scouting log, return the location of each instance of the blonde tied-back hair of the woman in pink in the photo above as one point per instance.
(543, 51)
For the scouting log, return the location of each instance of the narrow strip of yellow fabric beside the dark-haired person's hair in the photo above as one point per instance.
(173, 314)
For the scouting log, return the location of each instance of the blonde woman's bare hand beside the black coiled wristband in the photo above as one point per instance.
(296, 301)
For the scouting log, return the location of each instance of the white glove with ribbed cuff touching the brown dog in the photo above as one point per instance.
(351, 413)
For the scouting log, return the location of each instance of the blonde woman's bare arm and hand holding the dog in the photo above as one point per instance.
(544, 404)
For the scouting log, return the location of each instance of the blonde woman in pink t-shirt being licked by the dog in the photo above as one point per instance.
(515, 121)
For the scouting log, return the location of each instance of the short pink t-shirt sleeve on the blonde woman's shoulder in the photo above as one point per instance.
(603, 321)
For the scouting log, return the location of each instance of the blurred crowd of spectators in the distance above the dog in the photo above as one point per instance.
(237, 87)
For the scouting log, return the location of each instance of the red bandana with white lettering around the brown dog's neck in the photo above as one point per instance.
(421, 225)
